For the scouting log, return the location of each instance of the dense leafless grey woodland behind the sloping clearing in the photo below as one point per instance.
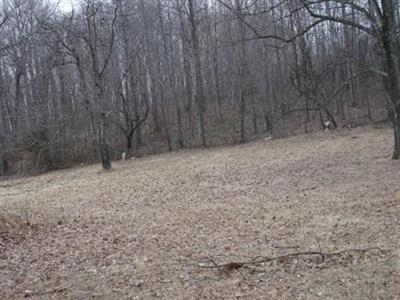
(145, 76)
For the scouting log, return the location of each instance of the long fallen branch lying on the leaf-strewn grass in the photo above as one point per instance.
(258, 260)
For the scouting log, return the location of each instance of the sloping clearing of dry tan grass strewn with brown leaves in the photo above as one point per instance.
(162, 226)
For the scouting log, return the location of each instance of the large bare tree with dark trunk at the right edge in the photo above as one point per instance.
(380, 22)
